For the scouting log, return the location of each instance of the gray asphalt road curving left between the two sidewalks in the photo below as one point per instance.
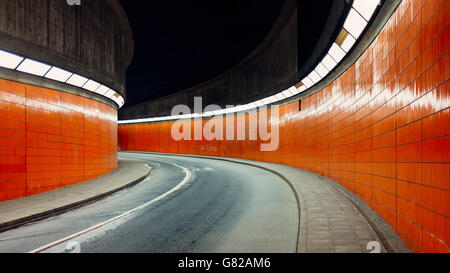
(185, 205)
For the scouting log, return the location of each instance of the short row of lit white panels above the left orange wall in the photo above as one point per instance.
(12, 61)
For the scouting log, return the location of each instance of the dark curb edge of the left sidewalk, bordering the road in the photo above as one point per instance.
(59, 210)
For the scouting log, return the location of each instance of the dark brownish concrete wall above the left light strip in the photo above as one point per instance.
(93, 39)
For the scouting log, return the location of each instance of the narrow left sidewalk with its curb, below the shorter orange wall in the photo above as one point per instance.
(20, 211)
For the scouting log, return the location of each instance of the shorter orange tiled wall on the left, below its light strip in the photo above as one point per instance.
(51, 139)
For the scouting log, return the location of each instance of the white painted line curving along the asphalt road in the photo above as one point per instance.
(102, 224)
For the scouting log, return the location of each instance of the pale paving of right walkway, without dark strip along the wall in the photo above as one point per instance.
(329, 222)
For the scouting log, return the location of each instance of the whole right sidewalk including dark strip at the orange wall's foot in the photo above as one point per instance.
(332, 219)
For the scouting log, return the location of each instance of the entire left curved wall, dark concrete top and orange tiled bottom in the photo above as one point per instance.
(52, 133)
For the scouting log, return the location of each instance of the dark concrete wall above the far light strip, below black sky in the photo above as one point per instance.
(267, 70)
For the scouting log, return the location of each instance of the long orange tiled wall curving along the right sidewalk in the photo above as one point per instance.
(382, 129)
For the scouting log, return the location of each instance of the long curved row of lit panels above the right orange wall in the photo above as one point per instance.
(355, 23)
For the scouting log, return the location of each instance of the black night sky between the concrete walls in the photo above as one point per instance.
(181, 43)
